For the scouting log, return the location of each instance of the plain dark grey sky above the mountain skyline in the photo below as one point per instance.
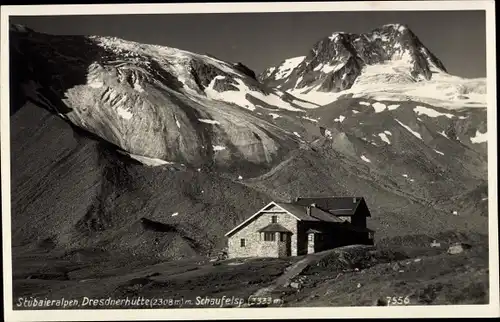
(261, 40)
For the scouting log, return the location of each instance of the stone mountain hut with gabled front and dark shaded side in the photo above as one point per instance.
(305, 226)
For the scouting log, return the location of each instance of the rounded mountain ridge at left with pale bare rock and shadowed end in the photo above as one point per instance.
(118, 81)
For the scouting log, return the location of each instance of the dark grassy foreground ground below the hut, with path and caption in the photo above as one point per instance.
(348, 276)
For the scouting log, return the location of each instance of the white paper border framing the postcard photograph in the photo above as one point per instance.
(487, 310)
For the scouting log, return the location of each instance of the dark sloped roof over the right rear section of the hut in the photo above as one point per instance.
(341, 206)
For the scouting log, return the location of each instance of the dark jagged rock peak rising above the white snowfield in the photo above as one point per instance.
(335, 62)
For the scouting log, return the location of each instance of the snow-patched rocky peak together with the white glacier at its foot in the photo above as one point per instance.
(388, 62)
